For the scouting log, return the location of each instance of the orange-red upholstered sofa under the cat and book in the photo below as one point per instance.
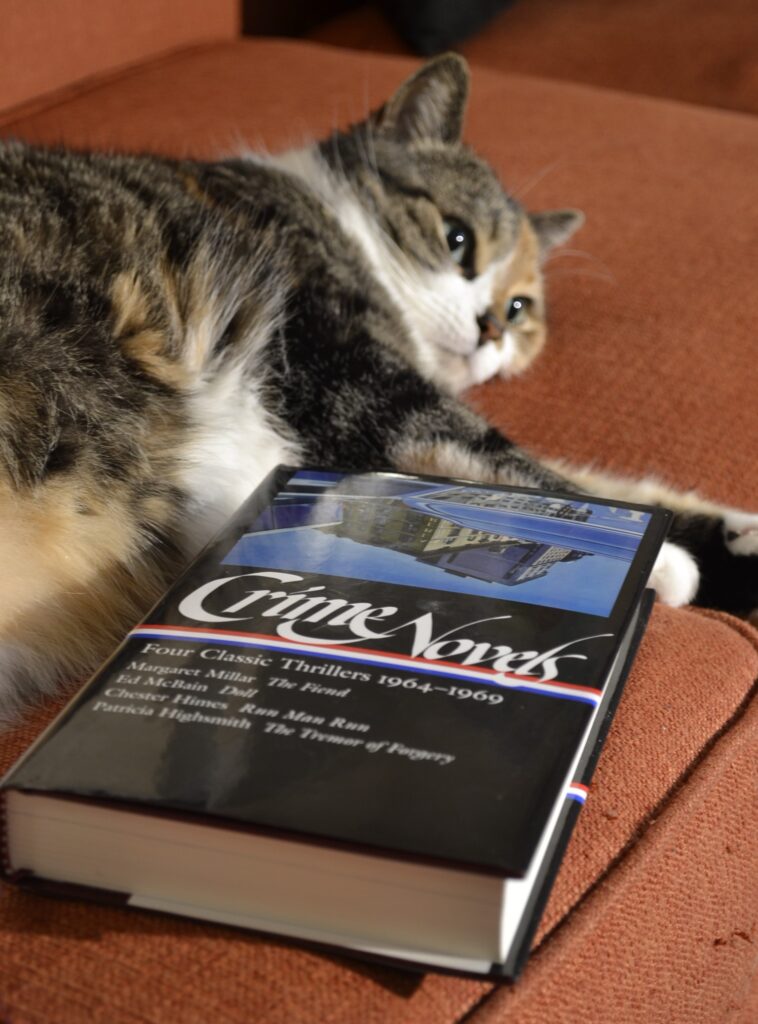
(651, 368)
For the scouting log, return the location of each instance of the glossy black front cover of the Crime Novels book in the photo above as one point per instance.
(411, 667)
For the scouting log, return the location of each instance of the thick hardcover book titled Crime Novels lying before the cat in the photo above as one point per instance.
(366, 718)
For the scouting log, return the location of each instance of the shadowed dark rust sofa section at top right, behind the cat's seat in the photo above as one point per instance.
(683, 50)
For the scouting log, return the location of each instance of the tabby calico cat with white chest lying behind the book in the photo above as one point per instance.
(171, 330)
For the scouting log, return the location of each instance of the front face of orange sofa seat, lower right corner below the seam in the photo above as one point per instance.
(648, 937)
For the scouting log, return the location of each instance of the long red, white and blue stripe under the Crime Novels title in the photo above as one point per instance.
(380, 659)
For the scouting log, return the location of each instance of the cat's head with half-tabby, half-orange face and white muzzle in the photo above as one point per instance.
(461, 259)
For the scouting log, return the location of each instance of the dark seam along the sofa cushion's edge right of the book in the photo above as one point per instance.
(644, 827)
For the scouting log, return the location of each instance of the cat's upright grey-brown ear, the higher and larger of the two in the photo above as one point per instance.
(432, 105)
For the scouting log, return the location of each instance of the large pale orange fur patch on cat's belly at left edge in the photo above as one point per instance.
(72, 582)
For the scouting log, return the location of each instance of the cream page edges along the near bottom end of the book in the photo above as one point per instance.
(365, 900)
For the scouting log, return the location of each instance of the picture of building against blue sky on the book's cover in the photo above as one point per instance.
(536, 549)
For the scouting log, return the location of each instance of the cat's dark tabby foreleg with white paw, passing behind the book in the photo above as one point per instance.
(384, 415)
